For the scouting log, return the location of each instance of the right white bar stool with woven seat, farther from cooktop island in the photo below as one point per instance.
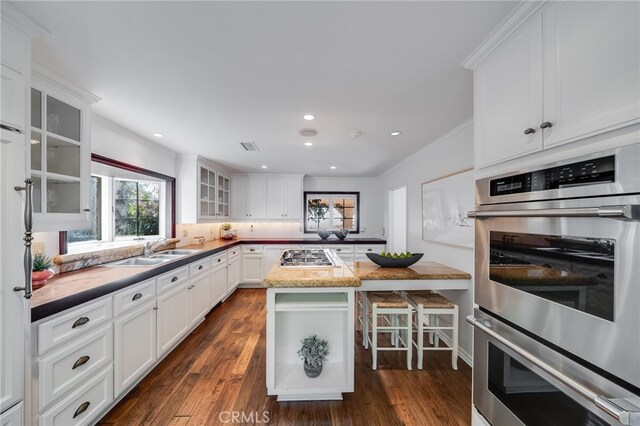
(429, 306)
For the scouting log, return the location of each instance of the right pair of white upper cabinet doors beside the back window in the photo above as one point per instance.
(284, 197)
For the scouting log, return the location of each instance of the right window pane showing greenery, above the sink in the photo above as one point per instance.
(136, 208)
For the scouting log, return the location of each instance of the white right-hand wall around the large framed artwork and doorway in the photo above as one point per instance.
(451, 153)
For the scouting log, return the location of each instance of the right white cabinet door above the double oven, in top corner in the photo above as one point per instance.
(591, 62)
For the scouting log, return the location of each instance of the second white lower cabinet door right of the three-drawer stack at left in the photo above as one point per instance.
(172, 317)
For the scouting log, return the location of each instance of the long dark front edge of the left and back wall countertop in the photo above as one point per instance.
(56, 306)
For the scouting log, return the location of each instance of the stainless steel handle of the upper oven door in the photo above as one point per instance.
(628, 211)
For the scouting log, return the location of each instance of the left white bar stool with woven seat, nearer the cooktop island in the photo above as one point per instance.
(383, 304)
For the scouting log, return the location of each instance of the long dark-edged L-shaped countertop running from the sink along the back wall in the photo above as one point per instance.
(66, 290)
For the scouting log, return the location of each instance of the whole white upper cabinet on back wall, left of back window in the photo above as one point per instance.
(266, 197)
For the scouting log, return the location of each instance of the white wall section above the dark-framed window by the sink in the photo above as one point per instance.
(111, 140)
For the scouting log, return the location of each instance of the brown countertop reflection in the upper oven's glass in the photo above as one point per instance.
(532, 275)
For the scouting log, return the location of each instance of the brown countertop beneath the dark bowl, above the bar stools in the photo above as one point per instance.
(424, 270)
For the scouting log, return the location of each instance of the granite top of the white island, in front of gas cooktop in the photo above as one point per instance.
(321, 276)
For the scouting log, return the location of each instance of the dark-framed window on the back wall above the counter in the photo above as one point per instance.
(332, 210)
